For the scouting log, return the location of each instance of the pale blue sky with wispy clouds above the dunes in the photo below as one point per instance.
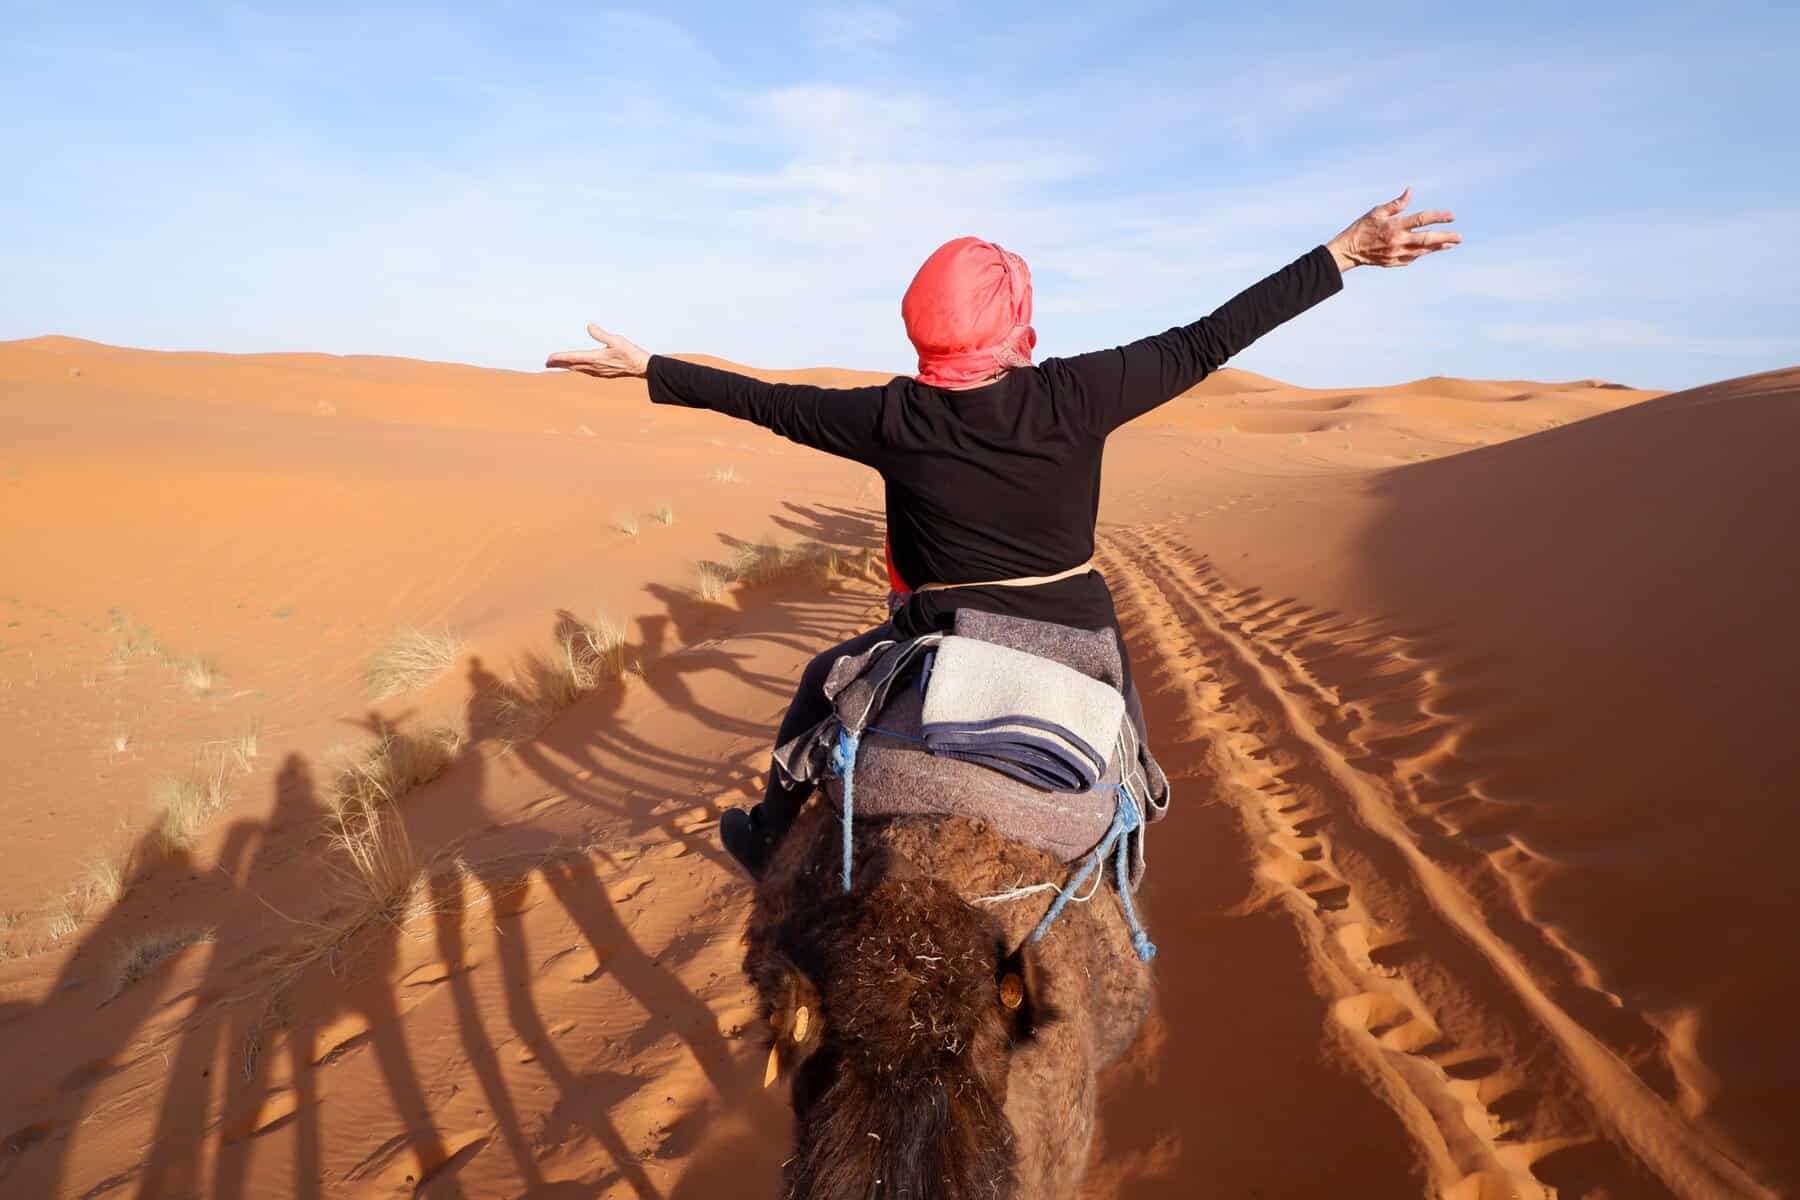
(476, 183)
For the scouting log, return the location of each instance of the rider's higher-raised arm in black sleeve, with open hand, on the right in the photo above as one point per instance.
(1119, 386)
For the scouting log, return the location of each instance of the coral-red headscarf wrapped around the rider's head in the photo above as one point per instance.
(969, 314)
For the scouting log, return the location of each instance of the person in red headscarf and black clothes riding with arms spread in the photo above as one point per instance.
(993, 463)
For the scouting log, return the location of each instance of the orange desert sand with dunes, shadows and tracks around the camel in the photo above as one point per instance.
(1475, 692)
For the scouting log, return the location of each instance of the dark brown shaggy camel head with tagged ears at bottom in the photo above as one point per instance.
(897, 1010)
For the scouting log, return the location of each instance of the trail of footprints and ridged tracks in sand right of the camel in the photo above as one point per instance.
(1342, 755)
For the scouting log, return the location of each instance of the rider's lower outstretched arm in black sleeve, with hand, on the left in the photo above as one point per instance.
(843, 422)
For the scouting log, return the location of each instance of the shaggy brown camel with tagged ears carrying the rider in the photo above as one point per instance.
(931, 1053)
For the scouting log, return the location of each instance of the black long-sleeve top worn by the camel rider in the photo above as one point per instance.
(1002, 481)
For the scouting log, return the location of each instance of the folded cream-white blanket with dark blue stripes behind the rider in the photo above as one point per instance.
(1023, 715)
